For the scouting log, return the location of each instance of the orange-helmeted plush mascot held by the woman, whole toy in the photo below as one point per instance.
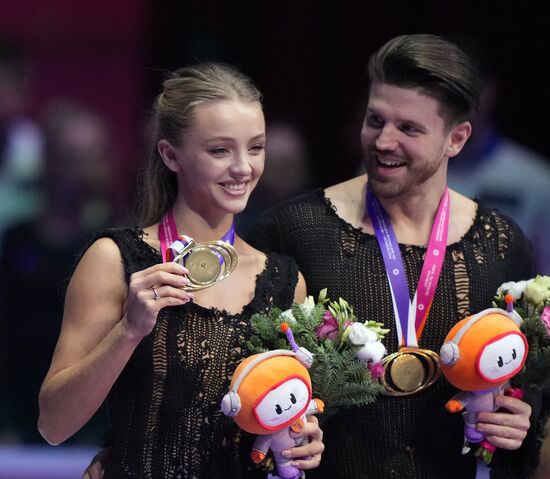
(270, 395)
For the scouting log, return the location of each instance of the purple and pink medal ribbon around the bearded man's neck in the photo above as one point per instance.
(410, 317)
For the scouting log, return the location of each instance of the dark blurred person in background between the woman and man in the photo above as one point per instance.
(287, 172)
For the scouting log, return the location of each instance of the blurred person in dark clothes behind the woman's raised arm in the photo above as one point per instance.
(38, 256)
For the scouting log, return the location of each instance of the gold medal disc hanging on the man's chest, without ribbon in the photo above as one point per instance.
(410, 370)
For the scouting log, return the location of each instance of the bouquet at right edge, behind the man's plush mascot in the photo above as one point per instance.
(532, 303)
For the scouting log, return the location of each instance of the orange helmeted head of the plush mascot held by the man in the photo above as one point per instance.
(490, 351)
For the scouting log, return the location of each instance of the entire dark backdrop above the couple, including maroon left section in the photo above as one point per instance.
(307, 57)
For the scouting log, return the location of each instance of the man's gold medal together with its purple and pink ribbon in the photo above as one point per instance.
(411, 369)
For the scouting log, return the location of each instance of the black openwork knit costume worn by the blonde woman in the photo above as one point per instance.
(165, 413)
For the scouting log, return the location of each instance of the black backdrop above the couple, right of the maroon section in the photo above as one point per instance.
(309, 59)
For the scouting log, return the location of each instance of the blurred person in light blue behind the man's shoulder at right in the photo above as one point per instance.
(501, 172)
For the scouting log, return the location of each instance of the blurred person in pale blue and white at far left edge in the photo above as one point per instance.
(20, 138)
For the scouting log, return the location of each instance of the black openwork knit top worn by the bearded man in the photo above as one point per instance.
(414, 436)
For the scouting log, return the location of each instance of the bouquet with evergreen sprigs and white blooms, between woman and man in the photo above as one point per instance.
(347, 352)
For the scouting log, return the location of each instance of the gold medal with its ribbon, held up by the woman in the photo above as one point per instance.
(208, 262)
